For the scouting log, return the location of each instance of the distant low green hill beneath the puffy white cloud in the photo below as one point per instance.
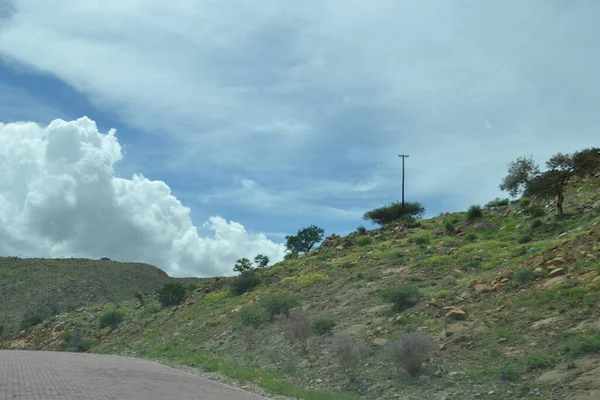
(42, 287)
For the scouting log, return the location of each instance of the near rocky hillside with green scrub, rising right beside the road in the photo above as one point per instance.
(511, 300)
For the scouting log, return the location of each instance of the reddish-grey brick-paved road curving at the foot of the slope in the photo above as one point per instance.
(41, 375)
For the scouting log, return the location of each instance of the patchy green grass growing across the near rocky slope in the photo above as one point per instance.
(340, 290)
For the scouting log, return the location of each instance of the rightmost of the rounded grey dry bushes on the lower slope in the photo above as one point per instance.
(410, 350)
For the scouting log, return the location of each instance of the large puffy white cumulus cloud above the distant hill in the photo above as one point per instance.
(59, 197)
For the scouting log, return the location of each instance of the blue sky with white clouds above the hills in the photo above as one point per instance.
(190, 133)
